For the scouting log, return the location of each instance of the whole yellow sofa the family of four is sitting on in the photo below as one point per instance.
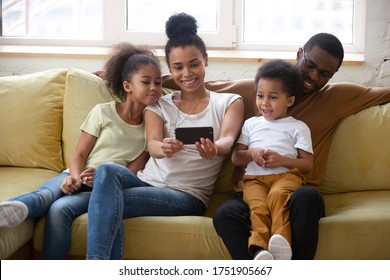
(40, 115)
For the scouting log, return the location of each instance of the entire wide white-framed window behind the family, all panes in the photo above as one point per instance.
(227, 24)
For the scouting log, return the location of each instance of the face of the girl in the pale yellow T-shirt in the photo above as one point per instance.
(145, 85)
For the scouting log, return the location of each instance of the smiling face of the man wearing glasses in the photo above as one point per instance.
(317, 67)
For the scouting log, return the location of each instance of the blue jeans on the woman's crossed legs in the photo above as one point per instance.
(119, 194)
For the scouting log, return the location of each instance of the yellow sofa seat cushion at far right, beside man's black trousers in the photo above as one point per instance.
(356, 225)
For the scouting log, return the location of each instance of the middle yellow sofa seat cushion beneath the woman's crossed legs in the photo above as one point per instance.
(148, 238)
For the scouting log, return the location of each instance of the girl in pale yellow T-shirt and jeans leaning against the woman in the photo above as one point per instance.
(113, 131)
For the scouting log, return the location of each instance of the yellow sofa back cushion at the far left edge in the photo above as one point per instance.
(31, 119)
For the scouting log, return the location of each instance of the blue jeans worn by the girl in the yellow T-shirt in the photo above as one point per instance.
(60, 211)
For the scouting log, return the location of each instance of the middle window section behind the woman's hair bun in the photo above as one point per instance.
(146, 19)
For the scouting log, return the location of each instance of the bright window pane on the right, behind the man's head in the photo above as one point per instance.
(266, 26)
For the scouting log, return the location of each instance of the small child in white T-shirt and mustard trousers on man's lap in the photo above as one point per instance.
(276, 150)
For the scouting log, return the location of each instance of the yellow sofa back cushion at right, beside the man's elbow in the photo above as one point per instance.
(358, 158)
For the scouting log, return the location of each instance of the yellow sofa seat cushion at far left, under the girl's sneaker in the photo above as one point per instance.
(15, 181)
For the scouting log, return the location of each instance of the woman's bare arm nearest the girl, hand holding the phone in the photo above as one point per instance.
(159, 146)
